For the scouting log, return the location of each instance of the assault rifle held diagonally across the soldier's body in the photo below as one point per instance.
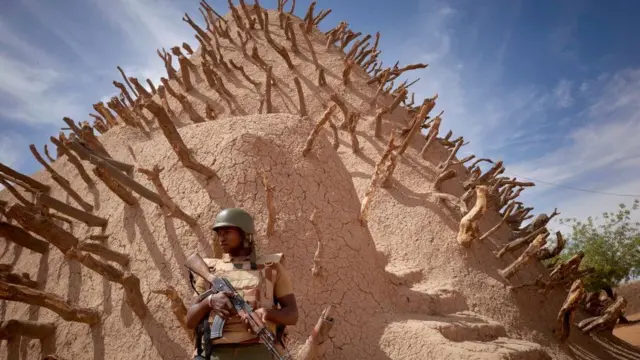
(198, 266)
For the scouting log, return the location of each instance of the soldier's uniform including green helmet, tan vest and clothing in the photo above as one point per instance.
(259, 286)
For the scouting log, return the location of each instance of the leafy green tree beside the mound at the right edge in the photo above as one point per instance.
(610, 246)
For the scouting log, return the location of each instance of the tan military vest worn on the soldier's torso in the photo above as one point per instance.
(255, 286)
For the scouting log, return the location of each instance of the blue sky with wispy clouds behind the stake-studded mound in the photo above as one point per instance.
(551, 88)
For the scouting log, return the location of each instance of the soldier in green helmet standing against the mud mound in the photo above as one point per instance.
(261, 280)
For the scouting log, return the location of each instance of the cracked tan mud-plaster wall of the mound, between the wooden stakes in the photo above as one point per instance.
(402, 287)
